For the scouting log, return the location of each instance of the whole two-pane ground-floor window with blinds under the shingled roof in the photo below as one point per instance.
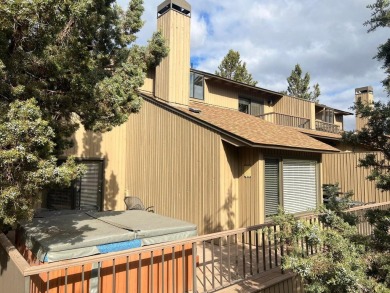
(290, 183)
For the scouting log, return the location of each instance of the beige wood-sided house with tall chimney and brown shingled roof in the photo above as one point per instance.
(205, 149)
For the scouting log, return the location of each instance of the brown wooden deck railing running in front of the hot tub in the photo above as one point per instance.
(201, 264)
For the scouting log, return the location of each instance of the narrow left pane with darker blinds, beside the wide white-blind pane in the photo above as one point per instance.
(271, 186)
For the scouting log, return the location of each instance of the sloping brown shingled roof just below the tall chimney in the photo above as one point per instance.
(250, 130)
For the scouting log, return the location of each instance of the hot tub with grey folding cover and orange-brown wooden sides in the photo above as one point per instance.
(63, 241)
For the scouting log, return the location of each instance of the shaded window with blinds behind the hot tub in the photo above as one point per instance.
(85, 192)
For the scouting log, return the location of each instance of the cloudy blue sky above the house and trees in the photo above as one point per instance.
(327, 38)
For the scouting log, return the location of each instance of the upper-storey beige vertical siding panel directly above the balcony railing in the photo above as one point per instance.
(294, 107)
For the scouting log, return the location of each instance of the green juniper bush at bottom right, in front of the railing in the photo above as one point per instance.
(346, 261)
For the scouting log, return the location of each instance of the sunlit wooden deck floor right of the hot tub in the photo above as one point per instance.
(221, 265)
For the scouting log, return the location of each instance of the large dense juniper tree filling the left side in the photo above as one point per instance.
(62, 62)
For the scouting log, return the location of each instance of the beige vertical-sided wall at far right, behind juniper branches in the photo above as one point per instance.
(343, 169)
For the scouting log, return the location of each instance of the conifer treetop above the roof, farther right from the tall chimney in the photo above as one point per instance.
(298, 86)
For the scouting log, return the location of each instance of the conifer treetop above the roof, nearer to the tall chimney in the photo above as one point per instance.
(233, 68)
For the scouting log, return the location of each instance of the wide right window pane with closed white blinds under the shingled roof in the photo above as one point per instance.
(299, 185)
